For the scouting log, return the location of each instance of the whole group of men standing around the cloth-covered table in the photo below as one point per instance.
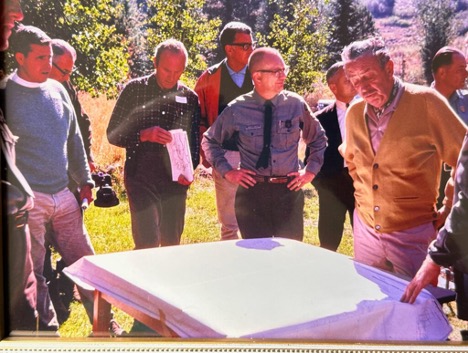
(377, 153)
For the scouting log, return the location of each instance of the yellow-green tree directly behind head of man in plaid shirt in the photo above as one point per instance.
(184, 20)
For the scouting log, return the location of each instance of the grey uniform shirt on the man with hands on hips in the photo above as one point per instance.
(244, 117)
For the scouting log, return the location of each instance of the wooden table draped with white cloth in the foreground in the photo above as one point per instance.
(259, 288)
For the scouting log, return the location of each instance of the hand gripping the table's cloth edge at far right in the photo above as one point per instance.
(427, 274)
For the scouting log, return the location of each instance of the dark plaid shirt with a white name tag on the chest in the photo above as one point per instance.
(143, 104)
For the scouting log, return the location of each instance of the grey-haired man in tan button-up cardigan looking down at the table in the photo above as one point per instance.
(397, 137)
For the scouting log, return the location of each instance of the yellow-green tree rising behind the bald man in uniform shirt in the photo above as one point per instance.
(298, 32)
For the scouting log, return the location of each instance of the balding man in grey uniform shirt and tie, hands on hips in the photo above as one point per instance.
(267, 122)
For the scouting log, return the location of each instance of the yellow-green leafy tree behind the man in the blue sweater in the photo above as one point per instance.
(89, 25)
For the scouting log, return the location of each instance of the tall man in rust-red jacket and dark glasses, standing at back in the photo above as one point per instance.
(216, 87)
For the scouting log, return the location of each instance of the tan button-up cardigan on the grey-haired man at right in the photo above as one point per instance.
(397, 188)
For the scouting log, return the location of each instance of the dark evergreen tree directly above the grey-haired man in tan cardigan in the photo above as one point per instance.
(349, 21)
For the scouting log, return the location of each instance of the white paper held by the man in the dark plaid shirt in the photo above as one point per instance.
(179, 153)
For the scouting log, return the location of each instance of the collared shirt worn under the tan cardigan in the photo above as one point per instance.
(377, 120)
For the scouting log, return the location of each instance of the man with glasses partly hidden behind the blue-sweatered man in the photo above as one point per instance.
(63, 65)
